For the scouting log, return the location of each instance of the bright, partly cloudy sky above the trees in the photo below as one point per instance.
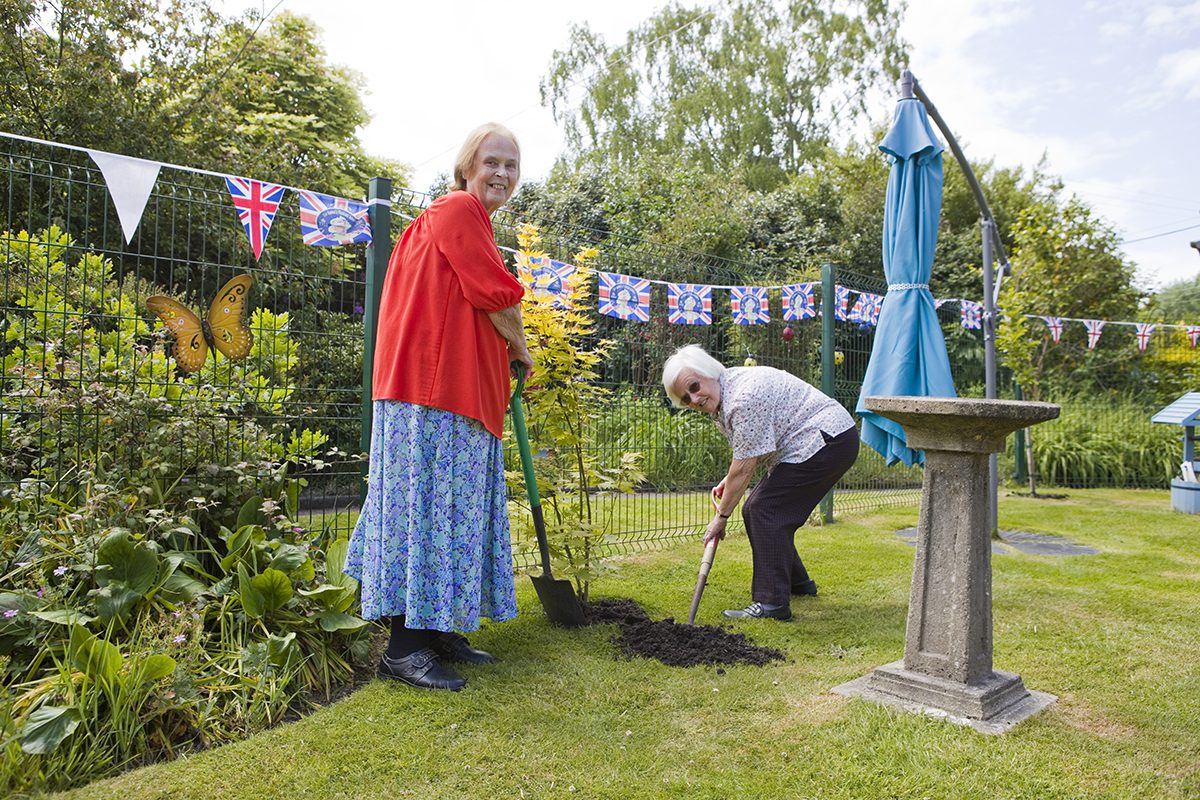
(1108, 92)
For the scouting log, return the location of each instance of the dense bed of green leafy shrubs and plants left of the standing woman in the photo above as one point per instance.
(158, 592)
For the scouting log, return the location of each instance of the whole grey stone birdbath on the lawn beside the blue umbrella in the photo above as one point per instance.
(947, 666)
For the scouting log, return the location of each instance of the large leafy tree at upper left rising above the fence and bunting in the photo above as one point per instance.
(176, 81)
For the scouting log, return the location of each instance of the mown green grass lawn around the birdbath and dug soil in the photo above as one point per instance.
(1115, 636)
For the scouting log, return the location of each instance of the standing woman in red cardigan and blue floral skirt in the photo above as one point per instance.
(431, 548)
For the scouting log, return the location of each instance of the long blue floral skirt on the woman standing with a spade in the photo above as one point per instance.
(433, 539)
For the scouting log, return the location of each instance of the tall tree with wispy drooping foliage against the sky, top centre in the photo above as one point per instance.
(755, 88)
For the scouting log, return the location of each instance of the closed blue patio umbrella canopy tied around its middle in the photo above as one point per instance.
(909, 356)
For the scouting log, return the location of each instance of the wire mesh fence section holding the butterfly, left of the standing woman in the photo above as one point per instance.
(89, 400)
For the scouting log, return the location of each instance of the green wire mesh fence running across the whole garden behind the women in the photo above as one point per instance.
(89, 396)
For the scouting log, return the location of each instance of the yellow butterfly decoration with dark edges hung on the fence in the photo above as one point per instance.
(225, 329)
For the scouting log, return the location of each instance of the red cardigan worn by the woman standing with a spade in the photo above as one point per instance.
(436, 345)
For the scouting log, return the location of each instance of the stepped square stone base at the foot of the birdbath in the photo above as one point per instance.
(993, 706)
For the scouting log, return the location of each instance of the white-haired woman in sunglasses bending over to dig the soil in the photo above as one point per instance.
(807, 442)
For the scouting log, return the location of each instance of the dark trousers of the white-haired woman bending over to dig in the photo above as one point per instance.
(781, 504)
